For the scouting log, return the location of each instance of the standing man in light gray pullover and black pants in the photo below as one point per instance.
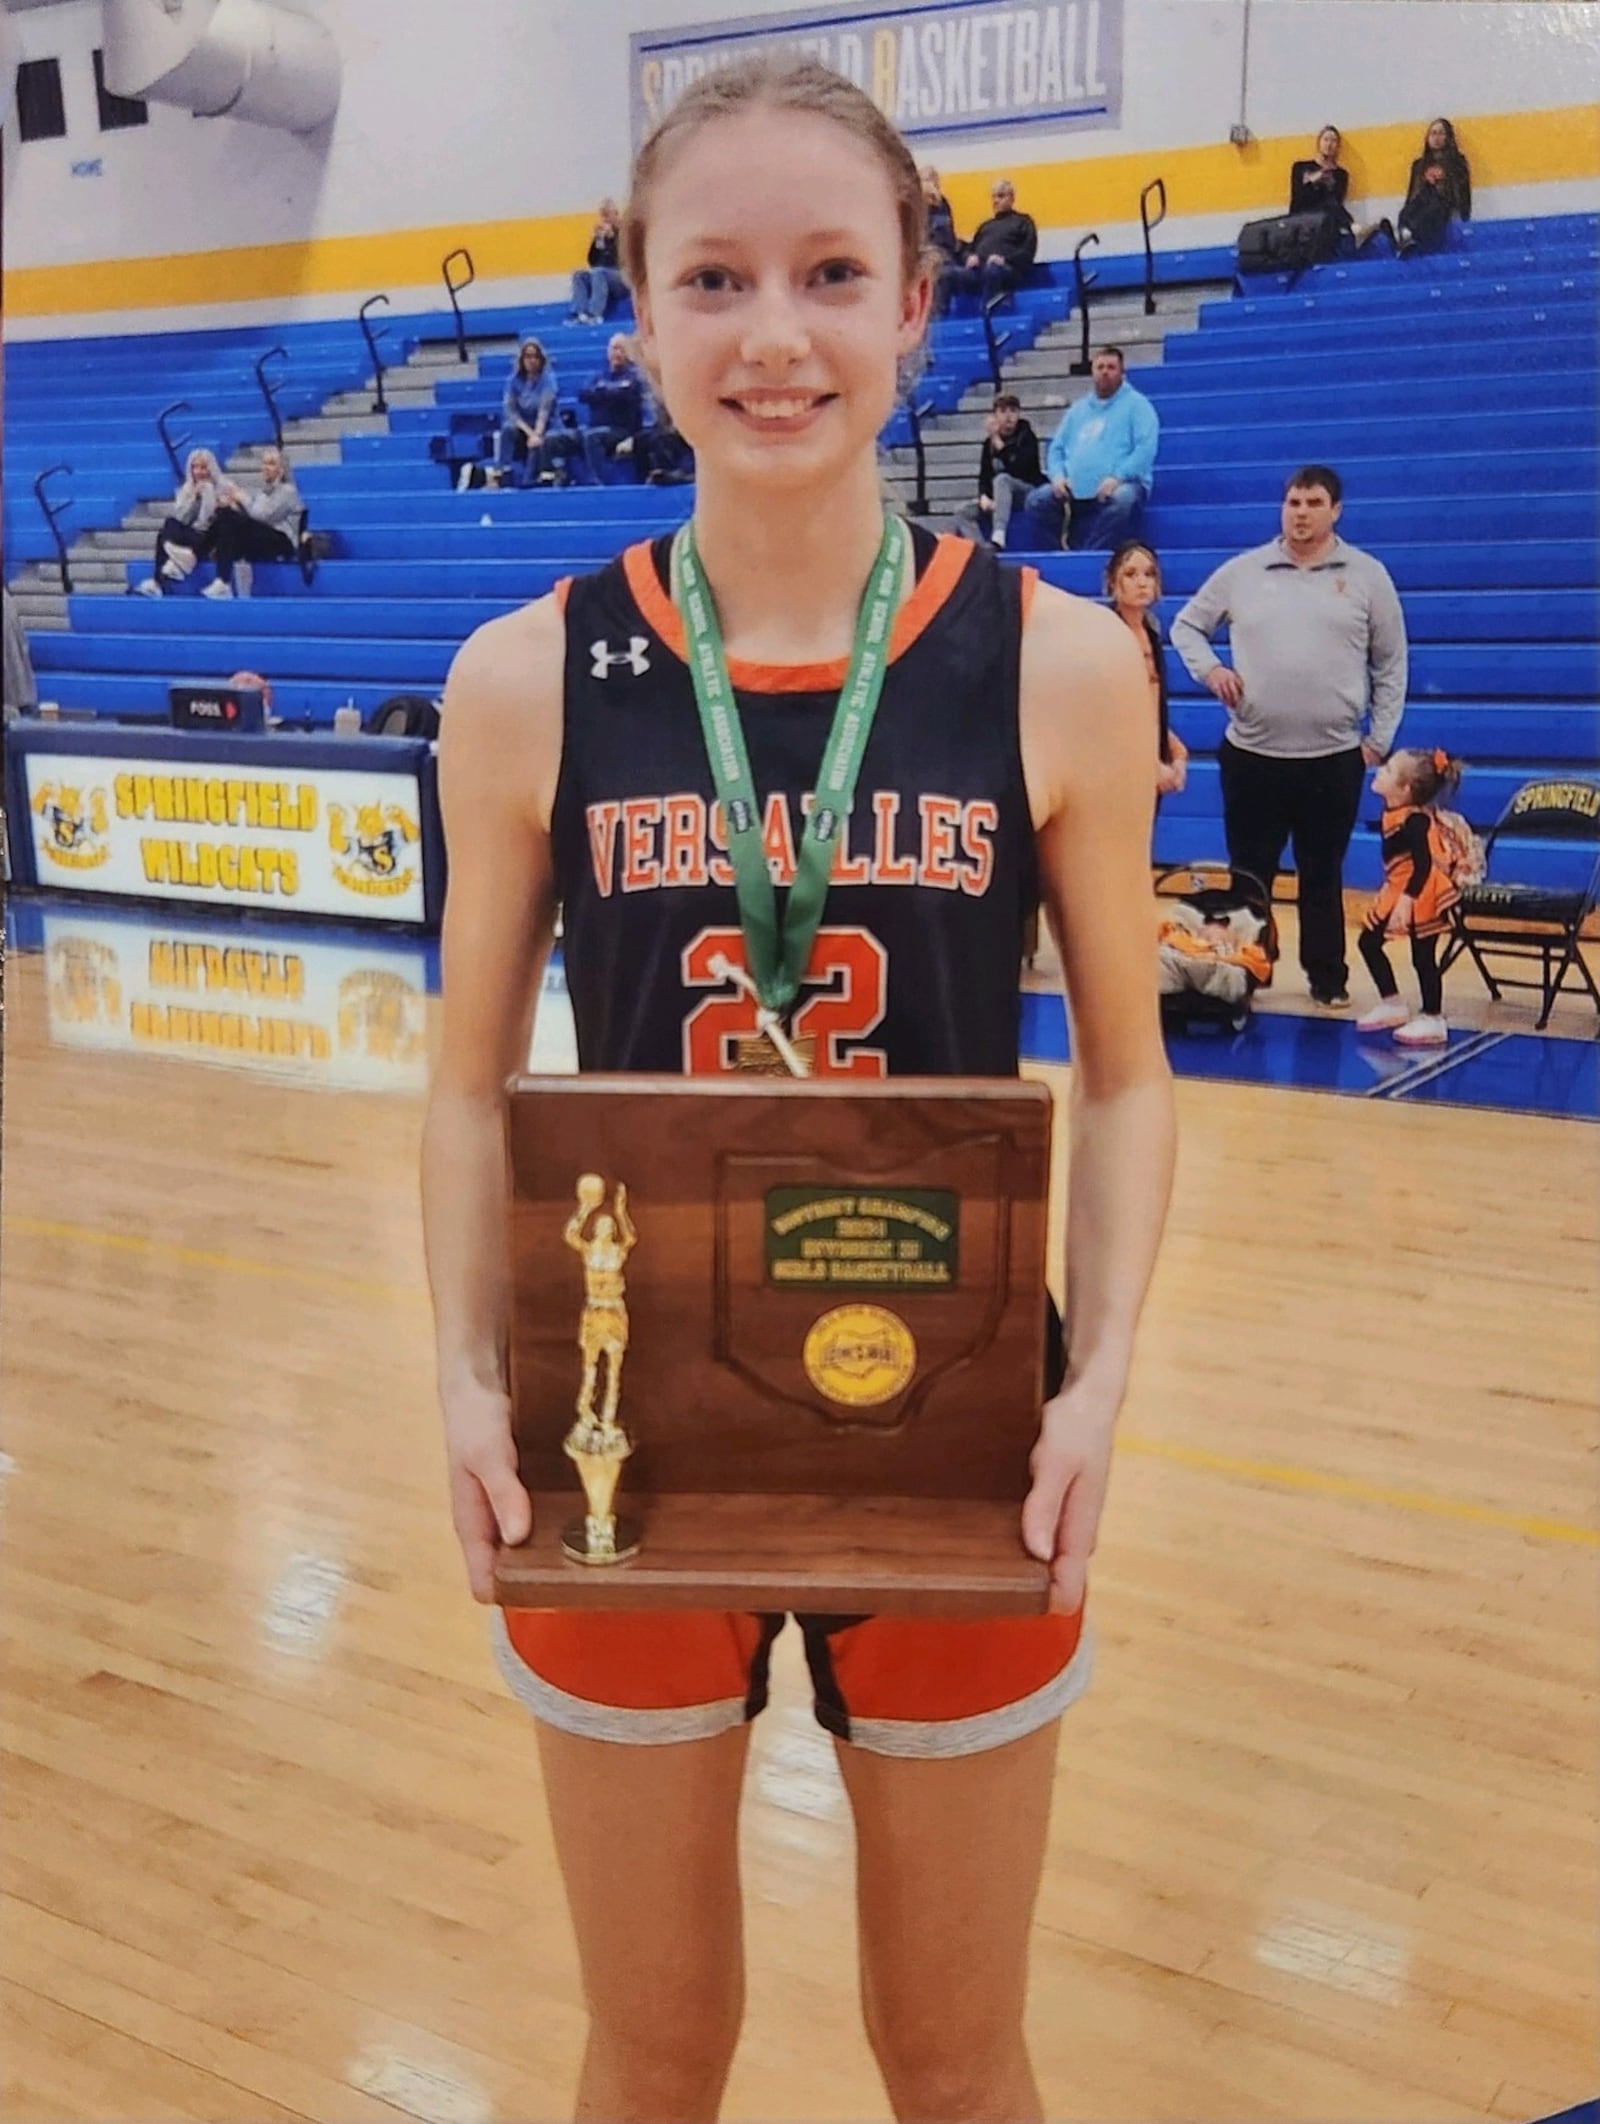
(1314, 700)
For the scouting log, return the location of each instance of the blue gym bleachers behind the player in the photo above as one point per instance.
(1457, 396)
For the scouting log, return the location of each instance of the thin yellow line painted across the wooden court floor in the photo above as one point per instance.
(1278, 1475)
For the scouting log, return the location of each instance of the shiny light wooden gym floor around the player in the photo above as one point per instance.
(1325, 1840)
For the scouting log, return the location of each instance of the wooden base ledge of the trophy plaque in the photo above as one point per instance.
(957, 1560)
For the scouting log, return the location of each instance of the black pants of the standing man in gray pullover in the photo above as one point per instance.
(1314, 804)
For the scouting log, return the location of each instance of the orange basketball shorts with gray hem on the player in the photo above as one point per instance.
(885, 1683)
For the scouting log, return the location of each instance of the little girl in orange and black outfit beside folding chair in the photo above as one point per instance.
(1416, 895)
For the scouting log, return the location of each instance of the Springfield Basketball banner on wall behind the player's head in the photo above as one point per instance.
(940, 71)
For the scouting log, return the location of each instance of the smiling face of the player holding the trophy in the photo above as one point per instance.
(775, 303)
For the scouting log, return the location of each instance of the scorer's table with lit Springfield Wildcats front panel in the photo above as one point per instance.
(282, 825)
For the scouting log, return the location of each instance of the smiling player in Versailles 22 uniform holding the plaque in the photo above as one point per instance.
(775, 243)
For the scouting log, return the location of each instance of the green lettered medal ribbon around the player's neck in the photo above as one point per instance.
(781, 950)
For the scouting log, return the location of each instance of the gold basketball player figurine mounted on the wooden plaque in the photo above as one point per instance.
(598, 1445)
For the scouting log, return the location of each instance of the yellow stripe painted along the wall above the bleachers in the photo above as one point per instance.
(1522, 148)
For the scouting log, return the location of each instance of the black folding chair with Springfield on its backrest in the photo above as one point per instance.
(1533, 925)
